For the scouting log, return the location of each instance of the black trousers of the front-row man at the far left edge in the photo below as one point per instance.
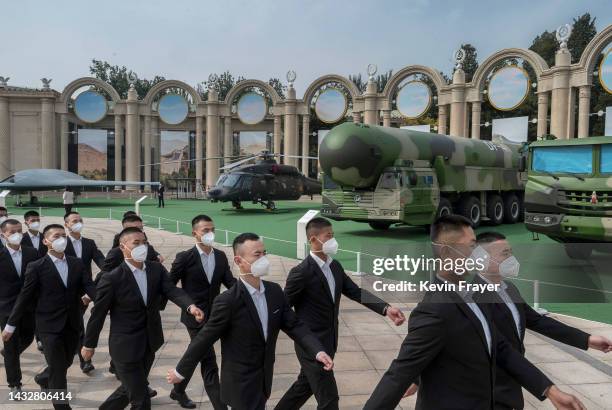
(19, 342)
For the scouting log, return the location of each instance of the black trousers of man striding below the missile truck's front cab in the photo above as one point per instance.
(313, 379)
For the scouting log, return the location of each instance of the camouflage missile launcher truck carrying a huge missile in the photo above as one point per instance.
(386, 176)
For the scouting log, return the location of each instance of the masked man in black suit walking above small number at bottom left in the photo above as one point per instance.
(54, 284)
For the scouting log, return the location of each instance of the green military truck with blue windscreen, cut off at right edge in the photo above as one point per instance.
(568, 195)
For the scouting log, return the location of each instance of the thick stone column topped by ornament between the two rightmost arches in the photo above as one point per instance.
(560, 94)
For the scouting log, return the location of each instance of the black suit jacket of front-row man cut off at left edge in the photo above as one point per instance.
(10, 281)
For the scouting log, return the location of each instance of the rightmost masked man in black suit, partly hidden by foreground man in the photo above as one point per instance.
(512, 316)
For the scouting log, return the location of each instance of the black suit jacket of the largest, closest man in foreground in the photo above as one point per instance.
(446, 347)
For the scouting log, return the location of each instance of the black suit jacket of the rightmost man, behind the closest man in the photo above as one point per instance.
(508, 391)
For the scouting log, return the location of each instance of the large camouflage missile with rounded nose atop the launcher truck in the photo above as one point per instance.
(355, 154)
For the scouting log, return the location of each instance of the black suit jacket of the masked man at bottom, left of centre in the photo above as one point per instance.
(247, 359)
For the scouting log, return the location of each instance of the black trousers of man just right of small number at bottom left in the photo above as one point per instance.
(133, 389)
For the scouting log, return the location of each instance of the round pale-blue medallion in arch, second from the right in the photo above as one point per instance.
(508, 88)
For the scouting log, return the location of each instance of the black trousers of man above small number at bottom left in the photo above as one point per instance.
(59, 350)
